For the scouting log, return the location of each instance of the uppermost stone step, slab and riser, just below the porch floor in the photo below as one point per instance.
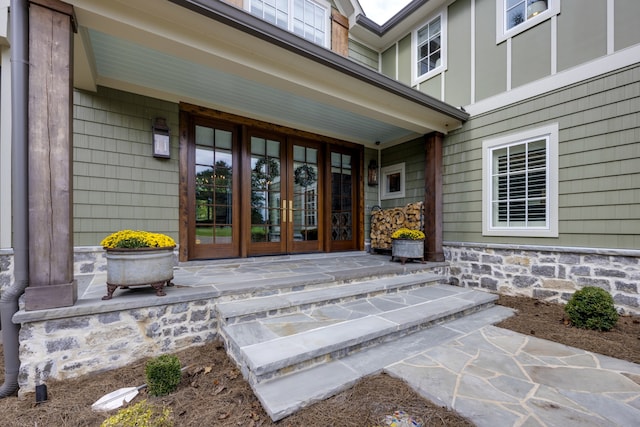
(249, 309)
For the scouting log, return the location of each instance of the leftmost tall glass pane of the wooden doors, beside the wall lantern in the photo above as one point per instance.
(213, 178)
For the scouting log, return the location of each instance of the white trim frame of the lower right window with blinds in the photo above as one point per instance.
(551, 229)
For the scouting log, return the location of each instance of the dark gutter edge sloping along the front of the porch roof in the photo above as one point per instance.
(243, 21)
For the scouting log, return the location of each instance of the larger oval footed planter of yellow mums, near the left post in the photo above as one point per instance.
(136, 258)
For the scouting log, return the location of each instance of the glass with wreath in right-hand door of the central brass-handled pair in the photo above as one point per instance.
(305, 193)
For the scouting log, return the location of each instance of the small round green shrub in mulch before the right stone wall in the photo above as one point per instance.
(592, 308)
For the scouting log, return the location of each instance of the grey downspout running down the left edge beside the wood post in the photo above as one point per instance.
(19, 38)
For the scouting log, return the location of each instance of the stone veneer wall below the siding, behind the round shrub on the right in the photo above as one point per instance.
(546, 273)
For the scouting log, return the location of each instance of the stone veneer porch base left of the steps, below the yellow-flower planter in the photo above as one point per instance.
(83, 344)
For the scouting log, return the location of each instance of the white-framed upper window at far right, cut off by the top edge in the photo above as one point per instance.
(515, 16)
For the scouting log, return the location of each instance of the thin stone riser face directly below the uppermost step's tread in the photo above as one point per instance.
(231, 320)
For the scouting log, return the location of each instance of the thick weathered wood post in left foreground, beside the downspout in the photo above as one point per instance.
(51, 282)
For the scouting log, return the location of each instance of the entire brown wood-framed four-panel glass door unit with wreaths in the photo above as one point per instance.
(248, 190)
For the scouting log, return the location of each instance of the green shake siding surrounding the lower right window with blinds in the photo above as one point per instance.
(599, 163)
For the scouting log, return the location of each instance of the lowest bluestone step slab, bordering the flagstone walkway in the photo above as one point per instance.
(282, 396)
